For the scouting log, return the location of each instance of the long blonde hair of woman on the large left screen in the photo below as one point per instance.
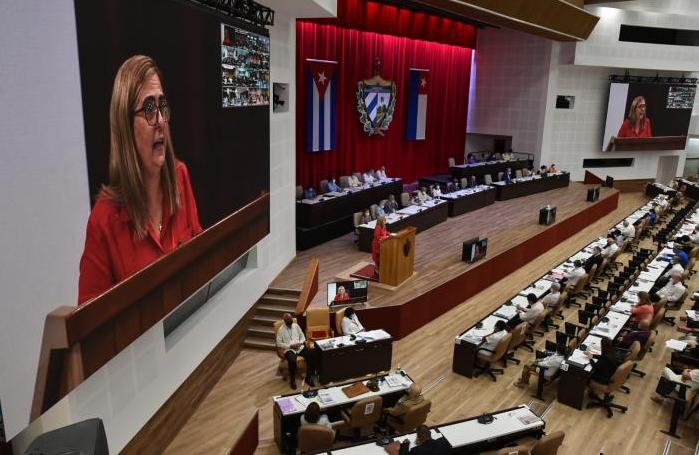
(126, 185)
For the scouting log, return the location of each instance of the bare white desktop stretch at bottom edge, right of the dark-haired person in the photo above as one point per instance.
(504, 423)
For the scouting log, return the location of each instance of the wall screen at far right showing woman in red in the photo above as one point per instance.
(648, 116)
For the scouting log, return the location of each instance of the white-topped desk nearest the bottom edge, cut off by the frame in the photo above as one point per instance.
(468, 436)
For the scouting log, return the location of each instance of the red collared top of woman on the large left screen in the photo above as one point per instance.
(111, 251)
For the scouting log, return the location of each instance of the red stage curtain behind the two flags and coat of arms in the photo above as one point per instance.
(354, 50)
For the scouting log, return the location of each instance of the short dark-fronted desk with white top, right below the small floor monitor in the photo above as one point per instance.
(343, 358)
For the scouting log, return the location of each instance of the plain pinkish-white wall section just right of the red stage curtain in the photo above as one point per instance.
(510, 86)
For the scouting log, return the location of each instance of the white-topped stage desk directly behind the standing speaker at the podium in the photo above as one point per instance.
(422, 217)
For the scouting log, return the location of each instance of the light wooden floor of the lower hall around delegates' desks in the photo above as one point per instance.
(426, 354)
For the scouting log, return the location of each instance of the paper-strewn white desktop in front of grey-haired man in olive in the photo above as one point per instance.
(296, 404)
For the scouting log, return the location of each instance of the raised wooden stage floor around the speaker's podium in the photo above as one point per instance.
(438, 249)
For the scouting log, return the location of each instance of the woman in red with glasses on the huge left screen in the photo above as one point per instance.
(148, 207)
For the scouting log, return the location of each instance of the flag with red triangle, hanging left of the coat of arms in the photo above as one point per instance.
(321, 105)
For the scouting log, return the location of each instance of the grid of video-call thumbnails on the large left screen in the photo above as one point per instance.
(244, 67)
